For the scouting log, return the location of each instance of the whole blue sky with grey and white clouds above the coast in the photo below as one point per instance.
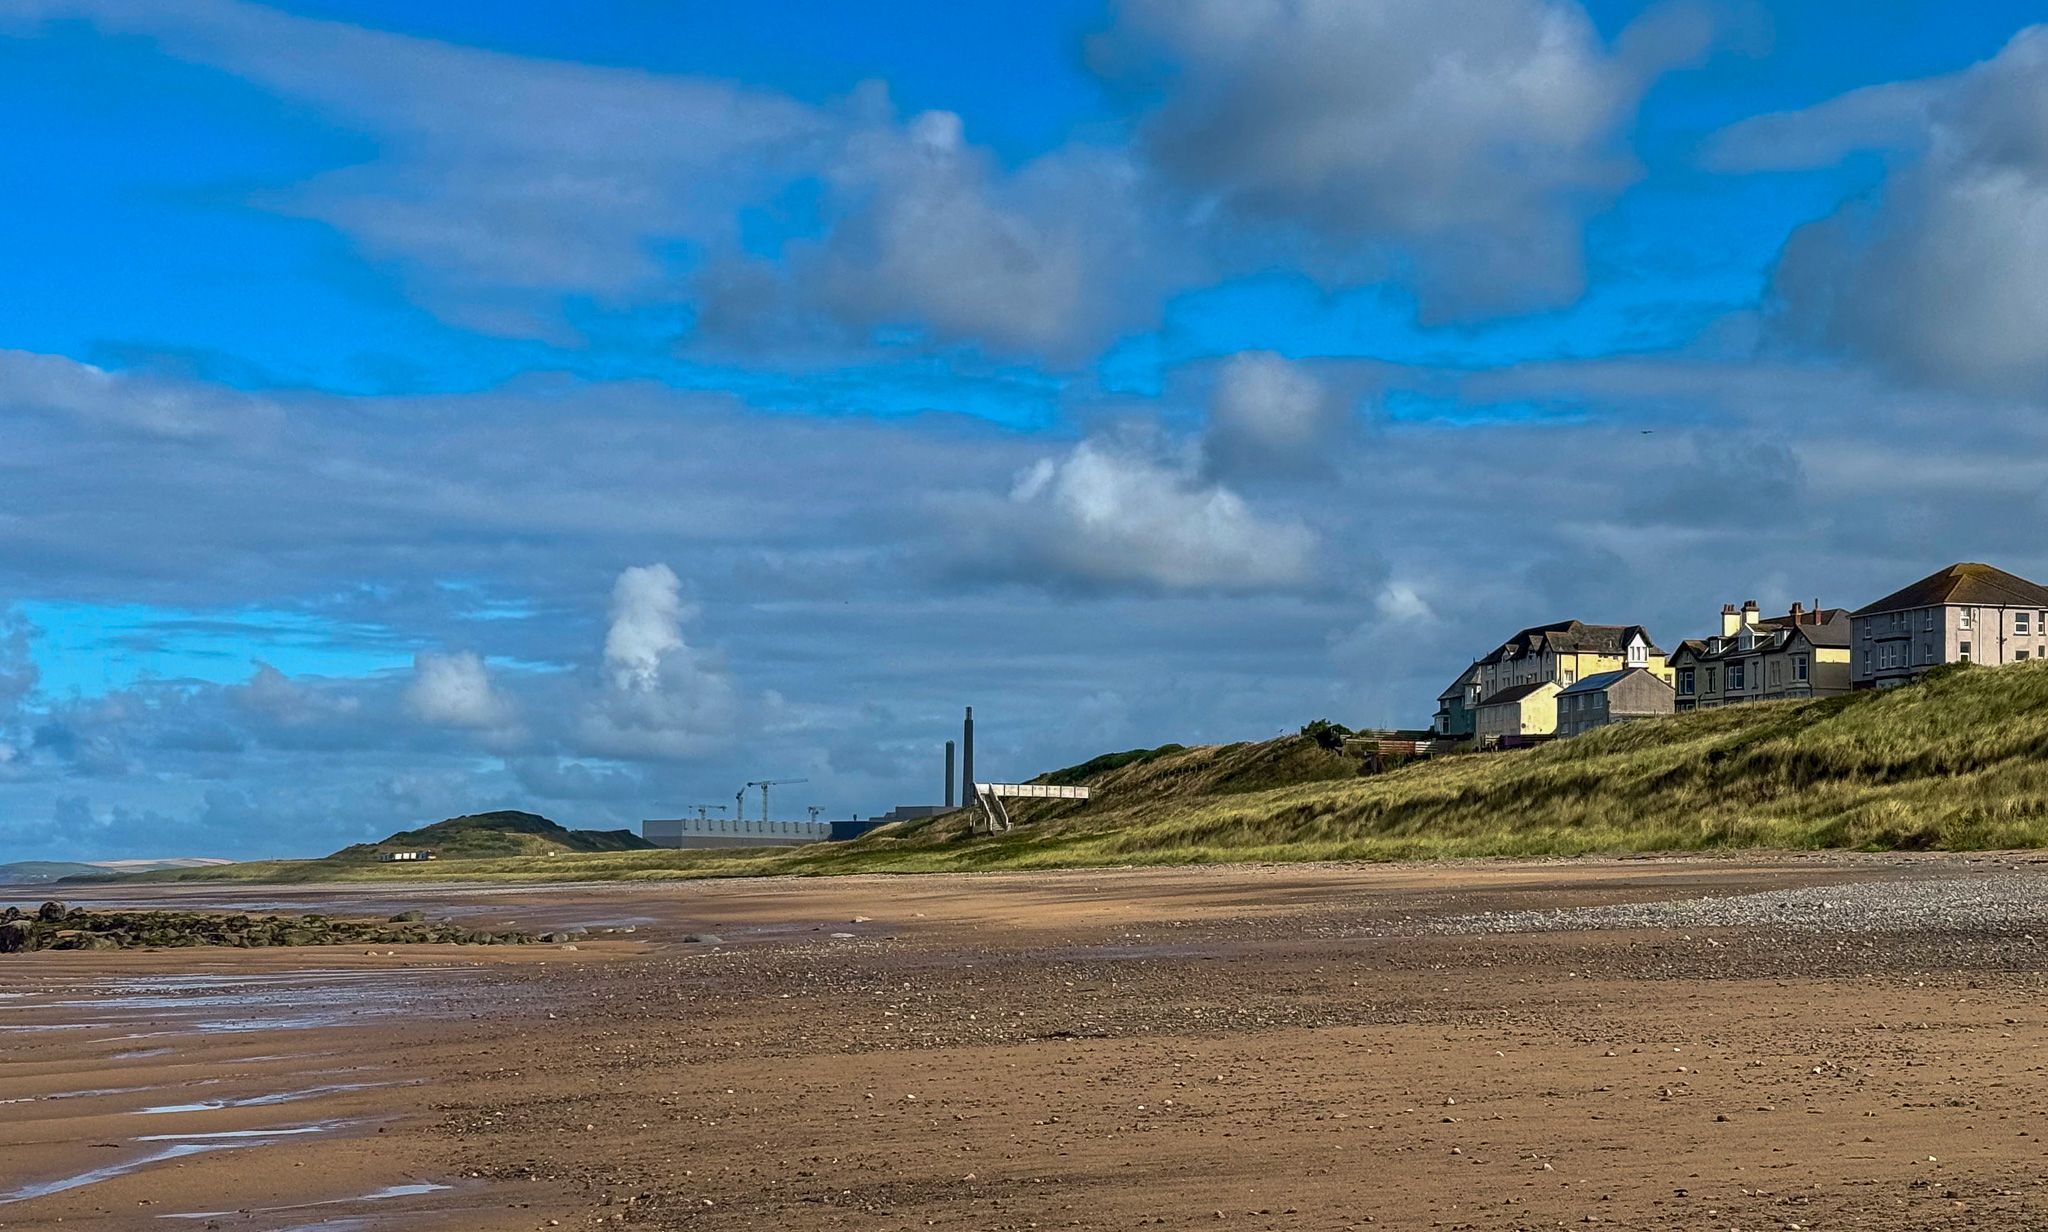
(427, 408)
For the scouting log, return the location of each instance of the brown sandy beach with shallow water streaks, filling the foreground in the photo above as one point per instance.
(1166, 1049)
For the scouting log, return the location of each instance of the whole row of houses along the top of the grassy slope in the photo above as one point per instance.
(1566, 678)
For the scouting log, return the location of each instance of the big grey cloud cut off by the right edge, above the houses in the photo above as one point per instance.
(1938, 275)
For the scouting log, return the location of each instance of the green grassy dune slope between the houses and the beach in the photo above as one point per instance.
(1959, 762)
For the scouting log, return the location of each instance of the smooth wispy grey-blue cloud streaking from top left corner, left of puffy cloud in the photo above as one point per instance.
(497, 175)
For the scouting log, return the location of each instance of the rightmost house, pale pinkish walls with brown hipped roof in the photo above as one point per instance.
(1961, 615)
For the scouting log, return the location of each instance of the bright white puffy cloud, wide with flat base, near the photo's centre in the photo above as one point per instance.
(1117, 515)
